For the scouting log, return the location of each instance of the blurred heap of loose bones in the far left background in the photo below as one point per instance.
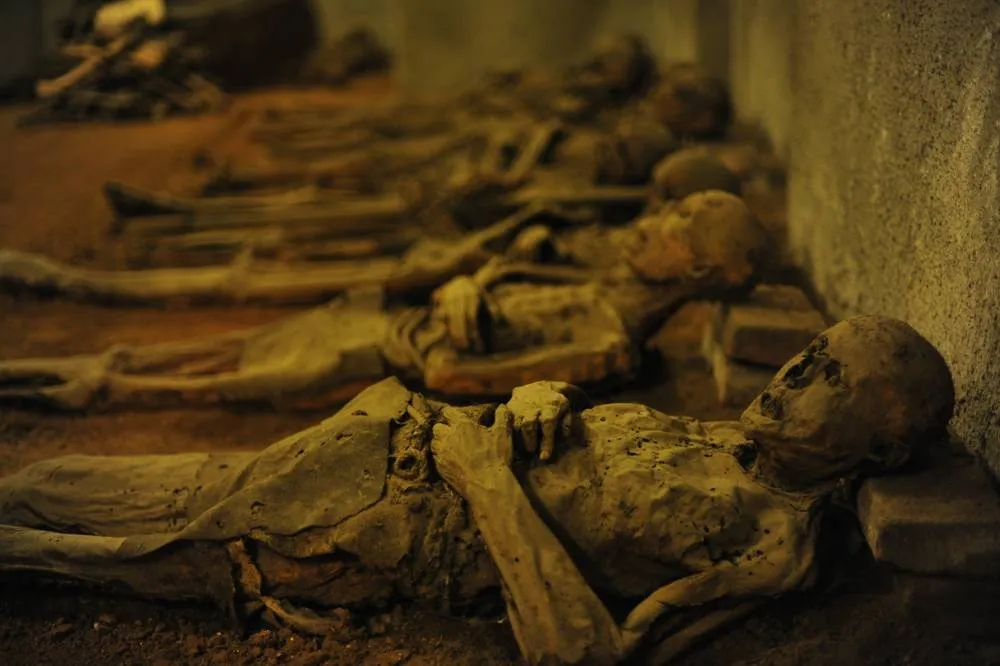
(142, 73)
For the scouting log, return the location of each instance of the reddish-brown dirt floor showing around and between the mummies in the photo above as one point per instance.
(51, 202)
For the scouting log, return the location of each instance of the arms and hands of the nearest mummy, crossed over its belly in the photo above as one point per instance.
(555, 615)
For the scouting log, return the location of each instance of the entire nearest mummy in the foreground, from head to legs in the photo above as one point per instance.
(614, 502)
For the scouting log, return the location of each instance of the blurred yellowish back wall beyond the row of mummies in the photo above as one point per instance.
(445, 44)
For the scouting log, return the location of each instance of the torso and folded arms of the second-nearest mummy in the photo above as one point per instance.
(514, 323)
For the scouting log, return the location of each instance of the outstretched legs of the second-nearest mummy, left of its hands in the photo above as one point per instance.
(326, 354)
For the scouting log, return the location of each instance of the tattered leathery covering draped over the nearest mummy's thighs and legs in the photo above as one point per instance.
(316, 478)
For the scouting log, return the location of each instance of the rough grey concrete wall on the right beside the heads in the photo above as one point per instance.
(889, 113)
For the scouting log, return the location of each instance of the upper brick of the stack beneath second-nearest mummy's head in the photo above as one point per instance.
(775, 323)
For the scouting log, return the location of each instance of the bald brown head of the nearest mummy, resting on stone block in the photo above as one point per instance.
(863, 397)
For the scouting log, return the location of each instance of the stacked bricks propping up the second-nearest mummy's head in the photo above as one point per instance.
(746, 343)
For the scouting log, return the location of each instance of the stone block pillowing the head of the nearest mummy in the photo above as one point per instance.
(944, 520)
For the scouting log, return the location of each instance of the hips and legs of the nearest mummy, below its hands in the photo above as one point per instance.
(348, 513)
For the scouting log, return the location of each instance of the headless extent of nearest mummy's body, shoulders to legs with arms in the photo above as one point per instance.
(352, 514)
